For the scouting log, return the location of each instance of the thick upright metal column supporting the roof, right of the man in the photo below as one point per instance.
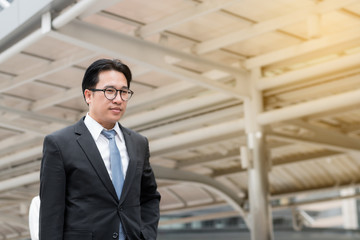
(260, 214)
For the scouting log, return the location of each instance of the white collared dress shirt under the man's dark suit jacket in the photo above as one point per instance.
(103, 143)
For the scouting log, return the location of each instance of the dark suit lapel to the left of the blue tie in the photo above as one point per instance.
(89, 147)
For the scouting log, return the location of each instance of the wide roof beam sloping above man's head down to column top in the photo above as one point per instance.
(147, 53)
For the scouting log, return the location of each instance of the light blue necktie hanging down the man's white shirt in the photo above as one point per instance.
(116, 168)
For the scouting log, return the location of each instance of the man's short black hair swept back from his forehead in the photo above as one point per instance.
(91, 76)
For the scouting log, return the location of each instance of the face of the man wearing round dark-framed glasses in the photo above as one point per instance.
(104, 111)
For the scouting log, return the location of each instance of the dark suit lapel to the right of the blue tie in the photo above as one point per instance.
(130, 173)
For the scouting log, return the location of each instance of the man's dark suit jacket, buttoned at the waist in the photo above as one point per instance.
(78, 200)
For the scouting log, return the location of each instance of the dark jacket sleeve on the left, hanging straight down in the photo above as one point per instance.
(52, 192)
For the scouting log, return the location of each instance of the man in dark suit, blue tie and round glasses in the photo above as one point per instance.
(93, 185)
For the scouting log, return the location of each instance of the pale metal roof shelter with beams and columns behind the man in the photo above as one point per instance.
(246, 103)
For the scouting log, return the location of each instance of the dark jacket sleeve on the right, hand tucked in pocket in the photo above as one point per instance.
(150, 200)
